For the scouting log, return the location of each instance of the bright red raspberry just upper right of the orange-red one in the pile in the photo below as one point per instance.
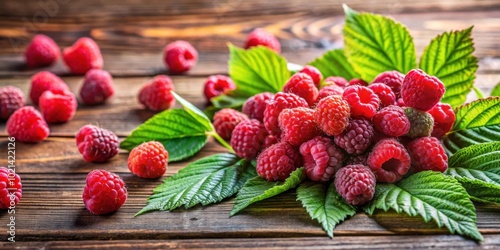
(362, 100)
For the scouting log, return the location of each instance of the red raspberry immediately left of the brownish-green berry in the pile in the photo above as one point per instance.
(391, 121)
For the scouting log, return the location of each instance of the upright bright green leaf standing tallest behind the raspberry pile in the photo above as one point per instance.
(375, 43)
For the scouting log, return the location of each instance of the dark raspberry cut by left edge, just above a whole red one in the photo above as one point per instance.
(11, 99)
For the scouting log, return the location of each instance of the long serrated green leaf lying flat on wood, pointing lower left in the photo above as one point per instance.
(205, 181)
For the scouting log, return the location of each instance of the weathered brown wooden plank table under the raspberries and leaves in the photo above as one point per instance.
(131, 35)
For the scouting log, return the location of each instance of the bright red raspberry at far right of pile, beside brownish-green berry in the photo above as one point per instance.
(444, 117)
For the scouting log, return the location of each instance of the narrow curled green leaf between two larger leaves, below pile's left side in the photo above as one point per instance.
(257, 189)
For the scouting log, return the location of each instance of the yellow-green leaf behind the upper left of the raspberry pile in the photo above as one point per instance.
(256, 70)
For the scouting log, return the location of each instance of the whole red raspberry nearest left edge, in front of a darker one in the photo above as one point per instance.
(27, 125)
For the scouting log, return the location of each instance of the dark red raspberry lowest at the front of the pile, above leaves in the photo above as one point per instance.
(356, 184)
